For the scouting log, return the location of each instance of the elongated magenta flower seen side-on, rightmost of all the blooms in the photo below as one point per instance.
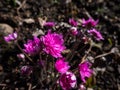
(96, 34)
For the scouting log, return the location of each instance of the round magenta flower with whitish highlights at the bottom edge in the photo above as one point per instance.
(67, 81)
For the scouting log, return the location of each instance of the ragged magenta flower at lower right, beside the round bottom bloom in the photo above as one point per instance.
(85, 71)
